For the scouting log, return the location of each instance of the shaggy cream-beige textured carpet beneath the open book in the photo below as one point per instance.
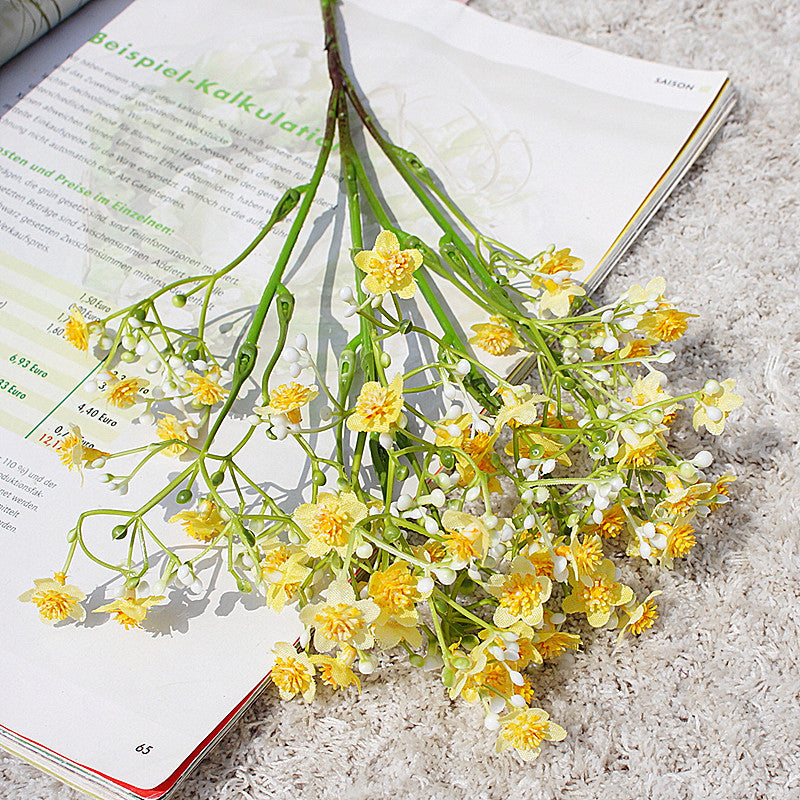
(706, 705)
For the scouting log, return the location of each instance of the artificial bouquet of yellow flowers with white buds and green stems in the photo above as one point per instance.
(470, 519)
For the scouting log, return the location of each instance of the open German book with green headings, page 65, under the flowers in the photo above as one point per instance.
(157, 151)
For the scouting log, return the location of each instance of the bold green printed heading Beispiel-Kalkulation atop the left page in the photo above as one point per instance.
(242, 100)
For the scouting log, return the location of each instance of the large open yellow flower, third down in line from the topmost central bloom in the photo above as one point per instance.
(329, 522)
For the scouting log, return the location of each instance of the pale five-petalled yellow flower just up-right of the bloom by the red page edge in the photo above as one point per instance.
(341, 619)
